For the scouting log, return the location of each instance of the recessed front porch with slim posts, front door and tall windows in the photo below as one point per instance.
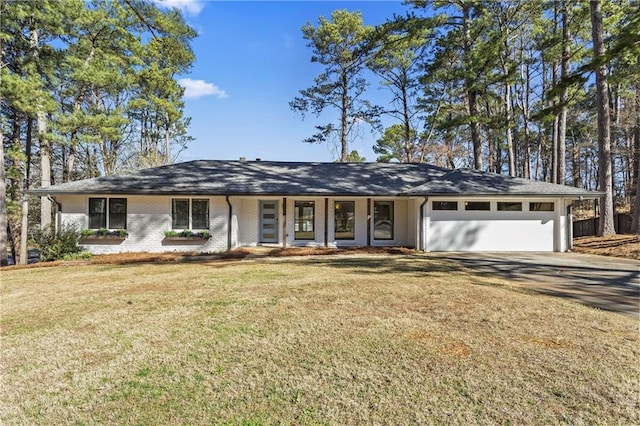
(324, 221)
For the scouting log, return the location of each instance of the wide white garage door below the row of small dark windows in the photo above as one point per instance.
(490, 231)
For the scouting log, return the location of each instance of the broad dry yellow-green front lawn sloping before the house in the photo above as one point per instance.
(377, 339)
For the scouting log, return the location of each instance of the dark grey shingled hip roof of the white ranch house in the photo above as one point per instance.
(209, 177)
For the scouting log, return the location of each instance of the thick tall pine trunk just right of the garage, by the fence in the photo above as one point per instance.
(606, 226)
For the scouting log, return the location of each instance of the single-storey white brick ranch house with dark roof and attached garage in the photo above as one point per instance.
(214, 206)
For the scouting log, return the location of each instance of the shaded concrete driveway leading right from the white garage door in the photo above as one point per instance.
(608, 283)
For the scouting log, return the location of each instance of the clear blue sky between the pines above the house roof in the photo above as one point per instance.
(251, 61)
